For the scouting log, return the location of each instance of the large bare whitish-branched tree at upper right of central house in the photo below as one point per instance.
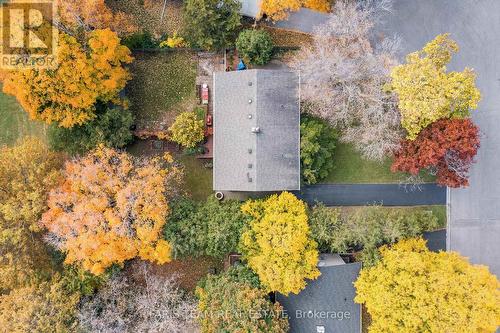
(343, 77)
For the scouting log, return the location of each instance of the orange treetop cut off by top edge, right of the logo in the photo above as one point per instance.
(93, 14)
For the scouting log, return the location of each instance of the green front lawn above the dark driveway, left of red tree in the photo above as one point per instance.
(350, 167)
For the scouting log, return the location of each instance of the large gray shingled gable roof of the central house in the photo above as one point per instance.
(264, 161)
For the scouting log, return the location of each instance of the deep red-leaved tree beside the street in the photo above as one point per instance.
(447, 147)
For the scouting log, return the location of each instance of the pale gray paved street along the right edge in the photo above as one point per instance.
(474, 213)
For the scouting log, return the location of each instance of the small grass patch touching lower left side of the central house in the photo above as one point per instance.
(198, 179)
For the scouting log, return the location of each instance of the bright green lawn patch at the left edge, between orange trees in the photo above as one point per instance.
(15, 123)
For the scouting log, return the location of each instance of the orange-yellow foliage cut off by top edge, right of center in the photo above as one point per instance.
(277, 10)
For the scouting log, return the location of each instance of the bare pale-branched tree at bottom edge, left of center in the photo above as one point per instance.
(144, 302)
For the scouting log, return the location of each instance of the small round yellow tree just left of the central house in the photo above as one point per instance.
(187, 130)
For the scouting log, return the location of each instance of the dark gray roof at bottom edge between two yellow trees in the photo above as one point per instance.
(330, 296)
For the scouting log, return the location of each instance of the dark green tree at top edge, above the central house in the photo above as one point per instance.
(211, 24)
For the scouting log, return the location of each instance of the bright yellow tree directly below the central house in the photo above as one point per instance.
(277, 243)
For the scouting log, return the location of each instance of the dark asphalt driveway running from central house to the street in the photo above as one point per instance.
(370, 194)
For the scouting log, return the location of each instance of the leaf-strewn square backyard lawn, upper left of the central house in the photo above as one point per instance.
(163, 84)
